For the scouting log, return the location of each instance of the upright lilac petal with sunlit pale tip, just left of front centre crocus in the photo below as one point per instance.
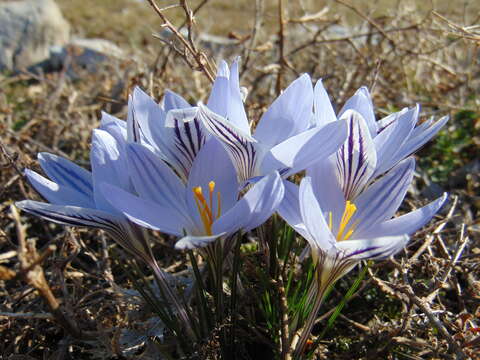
(108, 165)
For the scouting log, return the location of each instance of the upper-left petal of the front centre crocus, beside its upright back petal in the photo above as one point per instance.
(154, 180)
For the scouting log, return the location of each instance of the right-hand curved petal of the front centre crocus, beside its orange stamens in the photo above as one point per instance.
(254, 208)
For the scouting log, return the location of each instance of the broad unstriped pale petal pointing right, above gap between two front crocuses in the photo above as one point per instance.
(304, 149)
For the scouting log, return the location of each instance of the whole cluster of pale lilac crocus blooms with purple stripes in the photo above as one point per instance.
(200, 174)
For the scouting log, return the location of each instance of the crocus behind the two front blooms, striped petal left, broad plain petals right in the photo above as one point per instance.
(282, 140)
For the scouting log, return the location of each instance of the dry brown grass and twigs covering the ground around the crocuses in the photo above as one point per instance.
(406, 54)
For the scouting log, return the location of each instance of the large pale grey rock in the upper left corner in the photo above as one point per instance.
(28, 29)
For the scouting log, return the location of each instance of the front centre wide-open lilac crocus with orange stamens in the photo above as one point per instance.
(205, 208)
